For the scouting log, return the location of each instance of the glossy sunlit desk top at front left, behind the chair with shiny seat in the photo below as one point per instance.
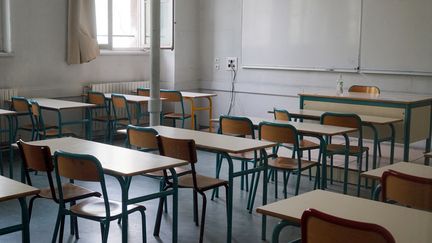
(115, 160)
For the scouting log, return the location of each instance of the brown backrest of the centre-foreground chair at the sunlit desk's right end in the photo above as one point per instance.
(183, 149)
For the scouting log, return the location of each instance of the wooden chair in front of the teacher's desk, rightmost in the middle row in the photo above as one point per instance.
(351, 121)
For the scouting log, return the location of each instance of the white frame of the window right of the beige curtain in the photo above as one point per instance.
(109, 46)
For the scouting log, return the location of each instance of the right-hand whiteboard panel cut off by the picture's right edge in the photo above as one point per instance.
(397, 36)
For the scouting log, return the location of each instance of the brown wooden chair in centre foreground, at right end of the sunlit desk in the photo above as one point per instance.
(185, 149)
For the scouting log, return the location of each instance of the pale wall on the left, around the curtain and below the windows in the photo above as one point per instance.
(38, 67)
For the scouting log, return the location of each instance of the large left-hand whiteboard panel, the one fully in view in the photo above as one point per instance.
(301, 34)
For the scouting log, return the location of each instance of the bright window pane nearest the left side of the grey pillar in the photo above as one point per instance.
(127, 23)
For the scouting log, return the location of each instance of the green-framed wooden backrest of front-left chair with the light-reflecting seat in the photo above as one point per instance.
(80, 167)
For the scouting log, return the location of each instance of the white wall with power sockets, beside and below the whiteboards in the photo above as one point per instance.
(220, 37)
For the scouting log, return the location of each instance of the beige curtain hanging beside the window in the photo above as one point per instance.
(82, 43)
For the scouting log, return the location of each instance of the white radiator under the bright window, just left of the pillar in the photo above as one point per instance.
(119, 88)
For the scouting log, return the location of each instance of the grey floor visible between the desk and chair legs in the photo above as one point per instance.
(246, 227)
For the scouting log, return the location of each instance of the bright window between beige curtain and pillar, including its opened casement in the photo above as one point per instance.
(125, 24)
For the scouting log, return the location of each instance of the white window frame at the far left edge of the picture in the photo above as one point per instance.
(6, 48)
